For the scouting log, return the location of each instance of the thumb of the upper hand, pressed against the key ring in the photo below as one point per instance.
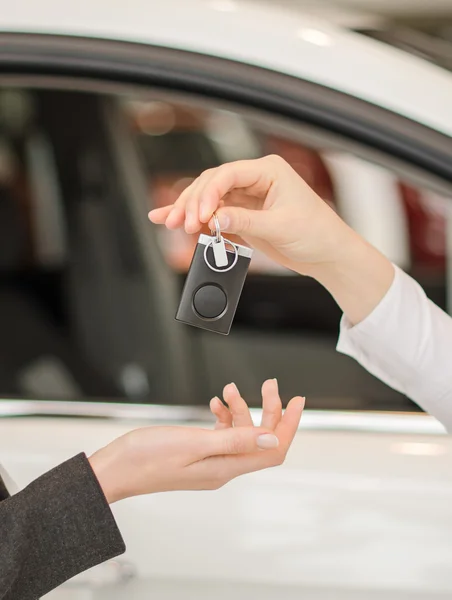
(243, 221)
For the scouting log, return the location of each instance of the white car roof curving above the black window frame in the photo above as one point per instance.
(269, 36)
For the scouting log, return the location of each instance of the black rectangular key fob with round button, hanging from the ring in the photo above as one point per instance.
(214, 284)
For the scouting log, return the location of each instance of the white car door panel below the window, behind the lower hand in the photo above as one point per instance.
(361, 508)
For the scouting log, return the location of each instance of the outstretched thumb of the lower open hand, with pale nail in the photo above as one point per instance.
(241, 440)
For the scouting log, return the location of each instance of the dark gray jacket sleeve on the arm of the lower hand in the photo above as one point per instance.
(57, 527)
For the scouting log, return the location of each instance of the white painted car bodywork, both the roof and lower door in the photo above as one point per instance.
(362, 508)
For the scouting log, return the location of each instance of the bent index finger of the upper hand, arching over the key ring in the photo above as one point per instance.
(239, 174)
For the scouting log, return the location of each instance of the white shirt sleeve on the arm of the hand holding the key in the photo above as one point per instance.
(407, 343)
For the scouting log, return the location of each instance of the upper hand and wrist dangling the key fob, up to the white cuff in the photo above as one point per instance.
(266, 203)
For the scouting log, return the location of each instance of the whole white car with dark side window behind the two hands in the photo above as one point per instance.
(109, 108)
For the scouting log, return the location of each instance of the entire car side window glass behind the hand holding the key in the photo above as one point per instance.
(87, 306)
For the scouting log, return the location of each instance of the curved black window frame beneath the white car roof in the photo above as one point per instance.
(46, 59)
